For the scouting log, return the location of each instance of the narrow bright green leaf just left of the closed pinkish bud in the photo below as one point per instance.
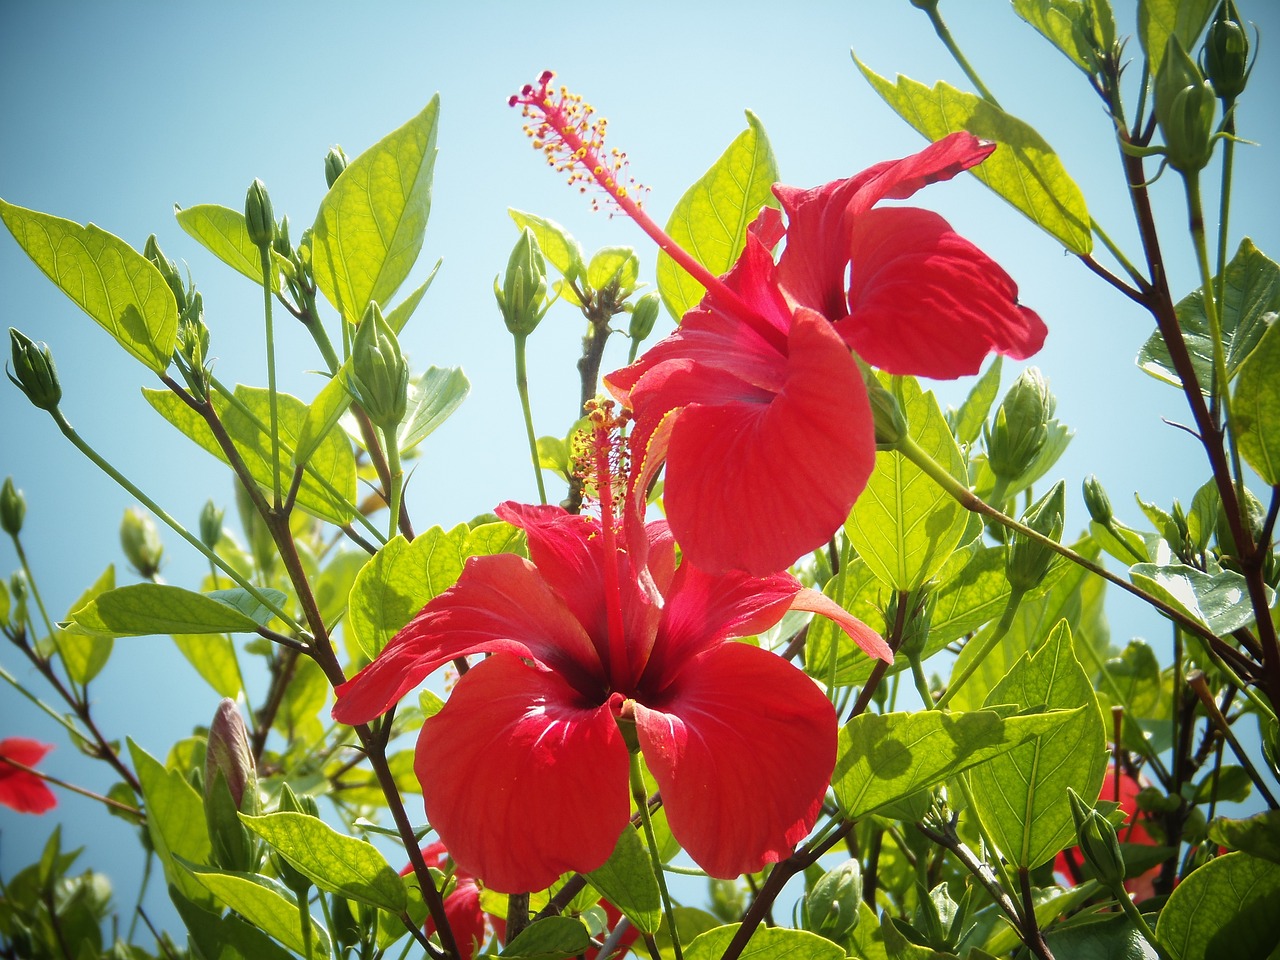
(176, 821)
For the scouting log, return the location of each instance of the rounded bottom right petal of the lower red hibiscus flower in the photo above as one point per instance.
(740, 723)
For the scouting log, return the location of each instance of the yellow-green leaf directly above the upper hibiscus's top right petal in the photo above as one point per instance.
(1025, 170)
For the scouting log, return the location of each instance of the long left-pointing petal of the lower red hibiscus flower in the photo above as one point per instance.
(500, 604)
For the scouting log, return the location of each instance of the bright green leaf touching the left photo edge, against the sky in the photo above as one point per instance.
(104, 277)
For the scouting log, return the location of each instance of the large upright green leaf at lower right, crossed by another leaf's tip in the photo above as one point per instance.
(1022, 797)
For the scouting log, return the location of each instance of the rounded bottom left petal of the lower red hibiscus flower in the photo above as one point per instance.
(523, 779)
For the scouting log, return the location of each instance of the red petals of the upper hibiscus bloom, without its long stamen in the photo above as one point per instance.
(756, 404)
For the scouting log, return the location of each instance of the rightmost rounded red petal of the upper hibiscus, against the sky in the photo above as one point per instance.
(925, 301)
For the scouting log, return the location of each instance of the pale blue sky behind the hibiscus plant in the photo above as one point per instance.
(116, 113)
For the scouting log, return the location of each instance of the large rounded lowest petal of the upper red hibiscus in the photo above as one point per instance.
(799, 463)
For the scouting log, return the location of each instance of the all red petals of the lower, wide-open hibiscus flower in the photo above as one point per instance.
(525, 771)
